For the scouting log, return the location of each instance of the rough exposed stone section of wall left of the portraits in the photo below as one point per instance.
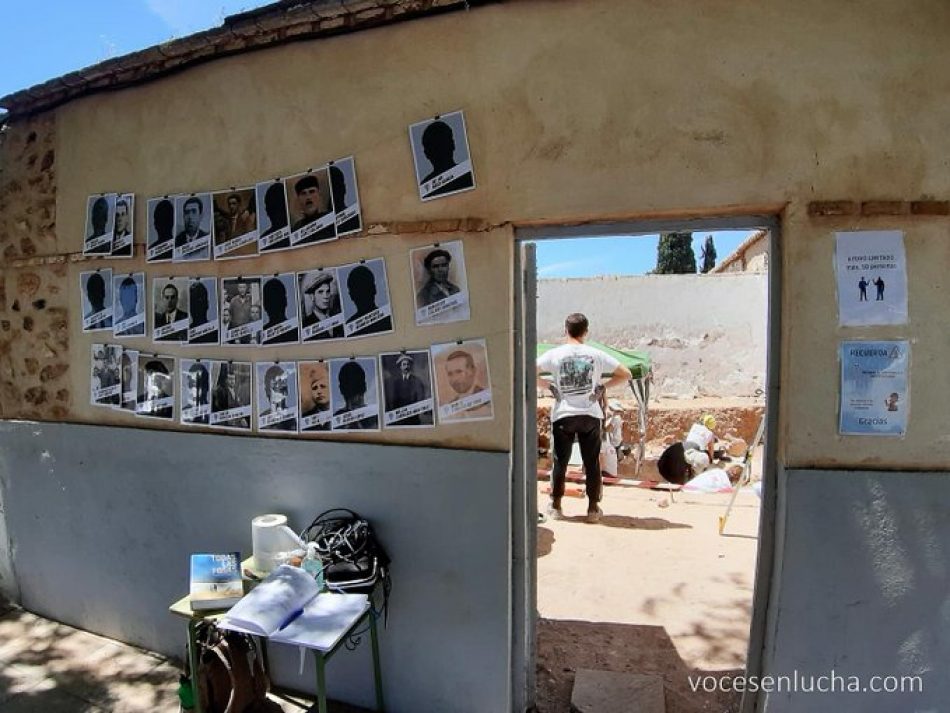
(34, 333)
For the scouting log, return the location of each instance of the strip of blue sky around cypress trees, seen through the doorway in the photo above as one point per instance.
(635, 255)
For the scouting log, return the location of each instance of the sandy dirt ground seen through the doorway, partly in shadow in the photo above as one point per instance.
(648, 590)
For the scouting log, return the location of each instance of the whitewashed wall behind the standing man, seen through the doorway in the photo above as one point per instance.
(705, 334)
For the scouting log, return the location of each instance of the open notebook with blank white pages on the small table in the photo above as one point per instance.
(289, 607)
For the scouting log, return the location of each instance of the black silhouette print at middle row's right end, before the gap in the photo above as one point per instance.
(365, 293)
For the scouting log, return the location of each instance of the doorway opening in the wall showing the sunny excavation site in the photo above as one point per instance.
(661, 591)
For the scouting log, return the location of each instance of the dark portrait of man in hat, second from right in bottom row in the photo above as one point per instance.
(407, 390)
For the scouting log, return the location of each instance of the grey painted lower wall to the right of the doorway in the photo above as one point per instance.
(865, 589)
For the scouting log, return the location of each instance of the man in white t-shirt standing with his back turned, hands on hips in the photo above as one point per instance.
(574, 375)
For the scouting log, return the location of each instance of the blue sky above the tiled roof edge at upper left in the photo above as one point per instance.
(44, 40)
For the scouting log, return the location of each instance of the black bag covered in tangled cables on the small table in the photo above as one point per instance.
(353, 559)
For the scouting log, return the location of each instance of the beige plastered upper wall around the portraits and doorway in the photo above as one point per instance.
(583, 111)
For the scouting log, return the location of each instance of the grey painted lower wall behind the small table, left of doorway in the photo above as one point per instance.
(102, 521)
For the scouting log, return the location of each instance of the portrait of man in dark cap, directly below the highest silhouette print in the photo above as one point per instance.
(440, 284)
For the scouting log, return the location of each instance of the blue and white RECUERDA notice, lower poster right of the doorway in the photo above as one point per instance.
(875, 399)
